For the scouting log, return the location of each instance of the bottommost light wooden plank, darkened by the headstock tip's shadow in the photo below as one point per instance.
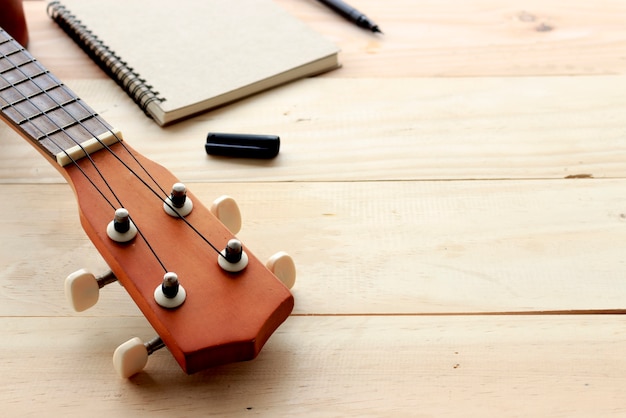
(329, 366)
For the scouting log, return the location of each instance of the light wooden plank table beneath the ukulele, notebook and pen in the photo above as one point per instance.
(454, 197)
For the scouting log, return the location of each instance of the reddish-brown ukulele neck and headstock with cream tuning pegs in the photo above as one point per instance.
(209, 299)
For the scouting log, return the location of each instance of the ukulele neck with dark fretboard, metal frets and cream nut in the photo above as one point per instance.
(44, 111)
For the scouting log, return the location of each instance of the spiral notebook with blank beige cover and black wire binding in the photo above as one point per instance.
(178, 59)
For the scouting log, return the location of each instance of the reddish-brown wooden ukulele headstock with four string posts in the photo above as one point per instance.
(229, 308)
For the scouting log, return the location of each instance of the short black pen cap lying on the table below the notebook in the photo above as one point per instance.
(242, 145)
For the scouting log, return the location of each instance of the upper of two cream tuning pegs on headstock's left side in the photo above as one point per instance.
(82, 288)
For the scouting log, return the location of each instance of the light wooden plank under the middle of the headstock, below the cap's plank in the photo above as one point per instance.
(369, 248)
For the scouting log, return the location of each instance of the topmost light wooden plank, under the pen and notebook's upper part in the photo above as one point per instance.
(429, 38)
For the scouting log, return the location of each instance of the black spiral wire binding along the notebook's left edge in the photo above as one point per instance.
(112, 64)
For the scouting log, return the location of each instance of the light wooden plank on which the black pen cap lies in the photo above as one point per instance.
(411, 129)
